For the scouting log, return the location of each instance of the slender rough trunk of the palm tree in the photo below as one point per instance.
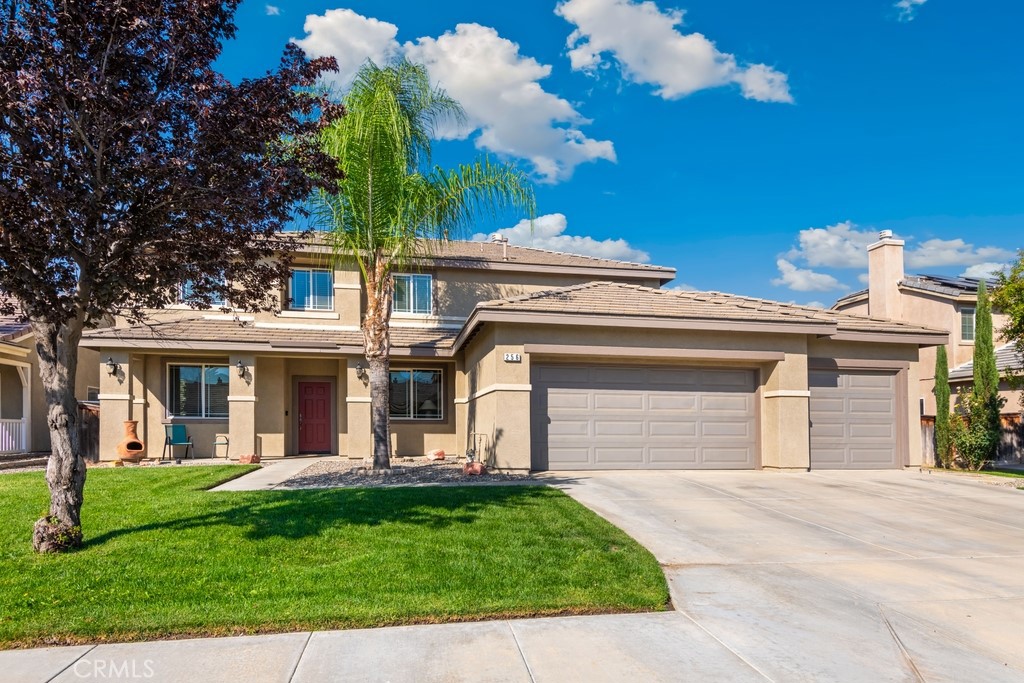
(377, 345)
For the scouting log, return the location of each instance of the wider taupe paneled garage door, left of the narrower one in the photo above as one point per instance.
(603, 417)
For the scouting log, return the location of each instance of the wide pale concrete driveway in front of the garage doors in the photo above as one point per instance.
(892, 576)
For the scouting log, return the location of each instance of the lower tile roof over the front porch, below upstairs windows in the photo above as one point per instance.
(215, 332)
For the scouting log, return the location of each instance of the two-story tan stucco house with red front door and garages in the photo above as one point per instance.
(535, 360)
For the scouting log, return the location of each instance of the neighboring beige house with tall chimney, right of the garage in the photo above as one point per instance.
(947, 304)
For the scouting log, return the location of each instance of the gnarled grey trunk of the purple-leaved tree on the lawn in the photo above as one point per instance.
(57, 347)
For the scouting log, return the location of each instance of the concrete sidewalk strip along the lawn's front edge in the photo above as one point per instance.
(665, 647)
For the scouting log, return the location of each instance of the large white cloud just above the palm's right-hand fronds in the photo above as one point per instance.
(501, 93)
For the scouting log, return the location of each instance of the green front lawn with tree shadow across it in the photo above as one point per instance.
(165, 558)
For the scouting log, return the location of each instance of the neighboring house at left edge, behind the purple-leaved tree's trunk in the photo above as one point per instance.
(23, 405)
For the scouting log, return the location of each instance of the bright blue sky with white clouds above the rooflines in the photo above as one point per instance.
(757, 148)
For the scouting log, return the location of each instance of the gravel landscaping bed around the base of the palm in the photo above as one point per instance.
(406, 473)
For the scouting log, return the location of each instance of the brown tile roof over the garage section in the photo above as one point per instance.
(618, 300)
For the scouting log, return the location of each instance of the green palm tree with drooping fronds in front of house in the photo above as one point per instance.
(394, 205)
